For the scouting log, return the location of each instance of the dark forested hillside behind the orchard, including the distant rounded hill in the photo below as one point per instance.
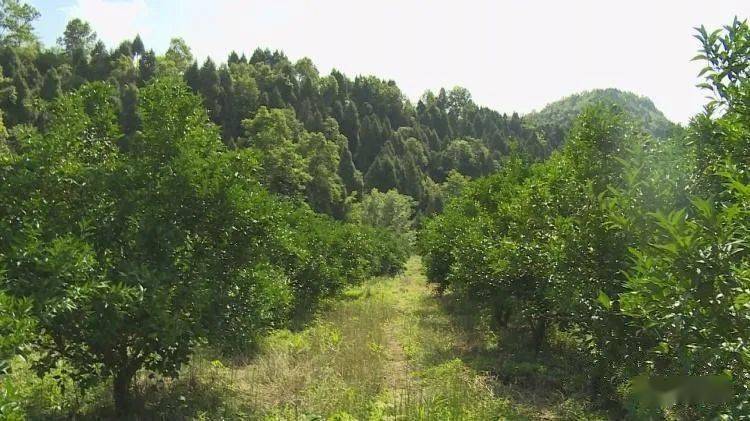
(337, 138)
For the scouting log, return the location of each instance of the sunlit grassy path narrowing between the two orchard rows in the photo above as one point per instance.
(387, 350)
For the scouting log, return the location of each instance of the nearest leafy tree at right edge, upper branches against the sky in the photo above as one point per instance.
(688, 282)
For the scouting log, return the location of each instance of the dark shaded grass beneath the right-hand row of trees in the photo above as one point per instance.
(553, 382)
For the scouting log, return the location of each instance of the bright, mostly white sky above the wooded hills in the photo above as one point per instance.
(513, 55)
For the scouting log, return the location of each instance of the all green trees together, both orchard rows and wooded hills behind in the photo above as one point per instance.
(153, 207)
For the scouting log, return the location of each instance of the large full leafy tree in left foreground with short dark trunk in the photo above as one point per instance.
(135, 254)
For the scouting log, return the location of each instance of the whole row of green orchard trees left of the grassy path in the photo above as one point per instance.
(127, 252)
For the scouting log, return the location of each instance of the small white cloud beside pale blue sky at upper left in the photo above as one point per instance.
(113, 21)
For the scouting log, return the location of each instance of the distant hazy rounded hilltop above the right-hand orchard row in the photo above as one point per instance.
(556, 119)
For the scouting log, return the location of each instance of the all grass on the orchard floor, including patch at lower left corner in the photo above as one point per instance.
(387, 350)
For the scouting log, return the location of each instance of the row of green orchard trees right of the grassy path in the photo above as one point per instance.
(636, 248)
